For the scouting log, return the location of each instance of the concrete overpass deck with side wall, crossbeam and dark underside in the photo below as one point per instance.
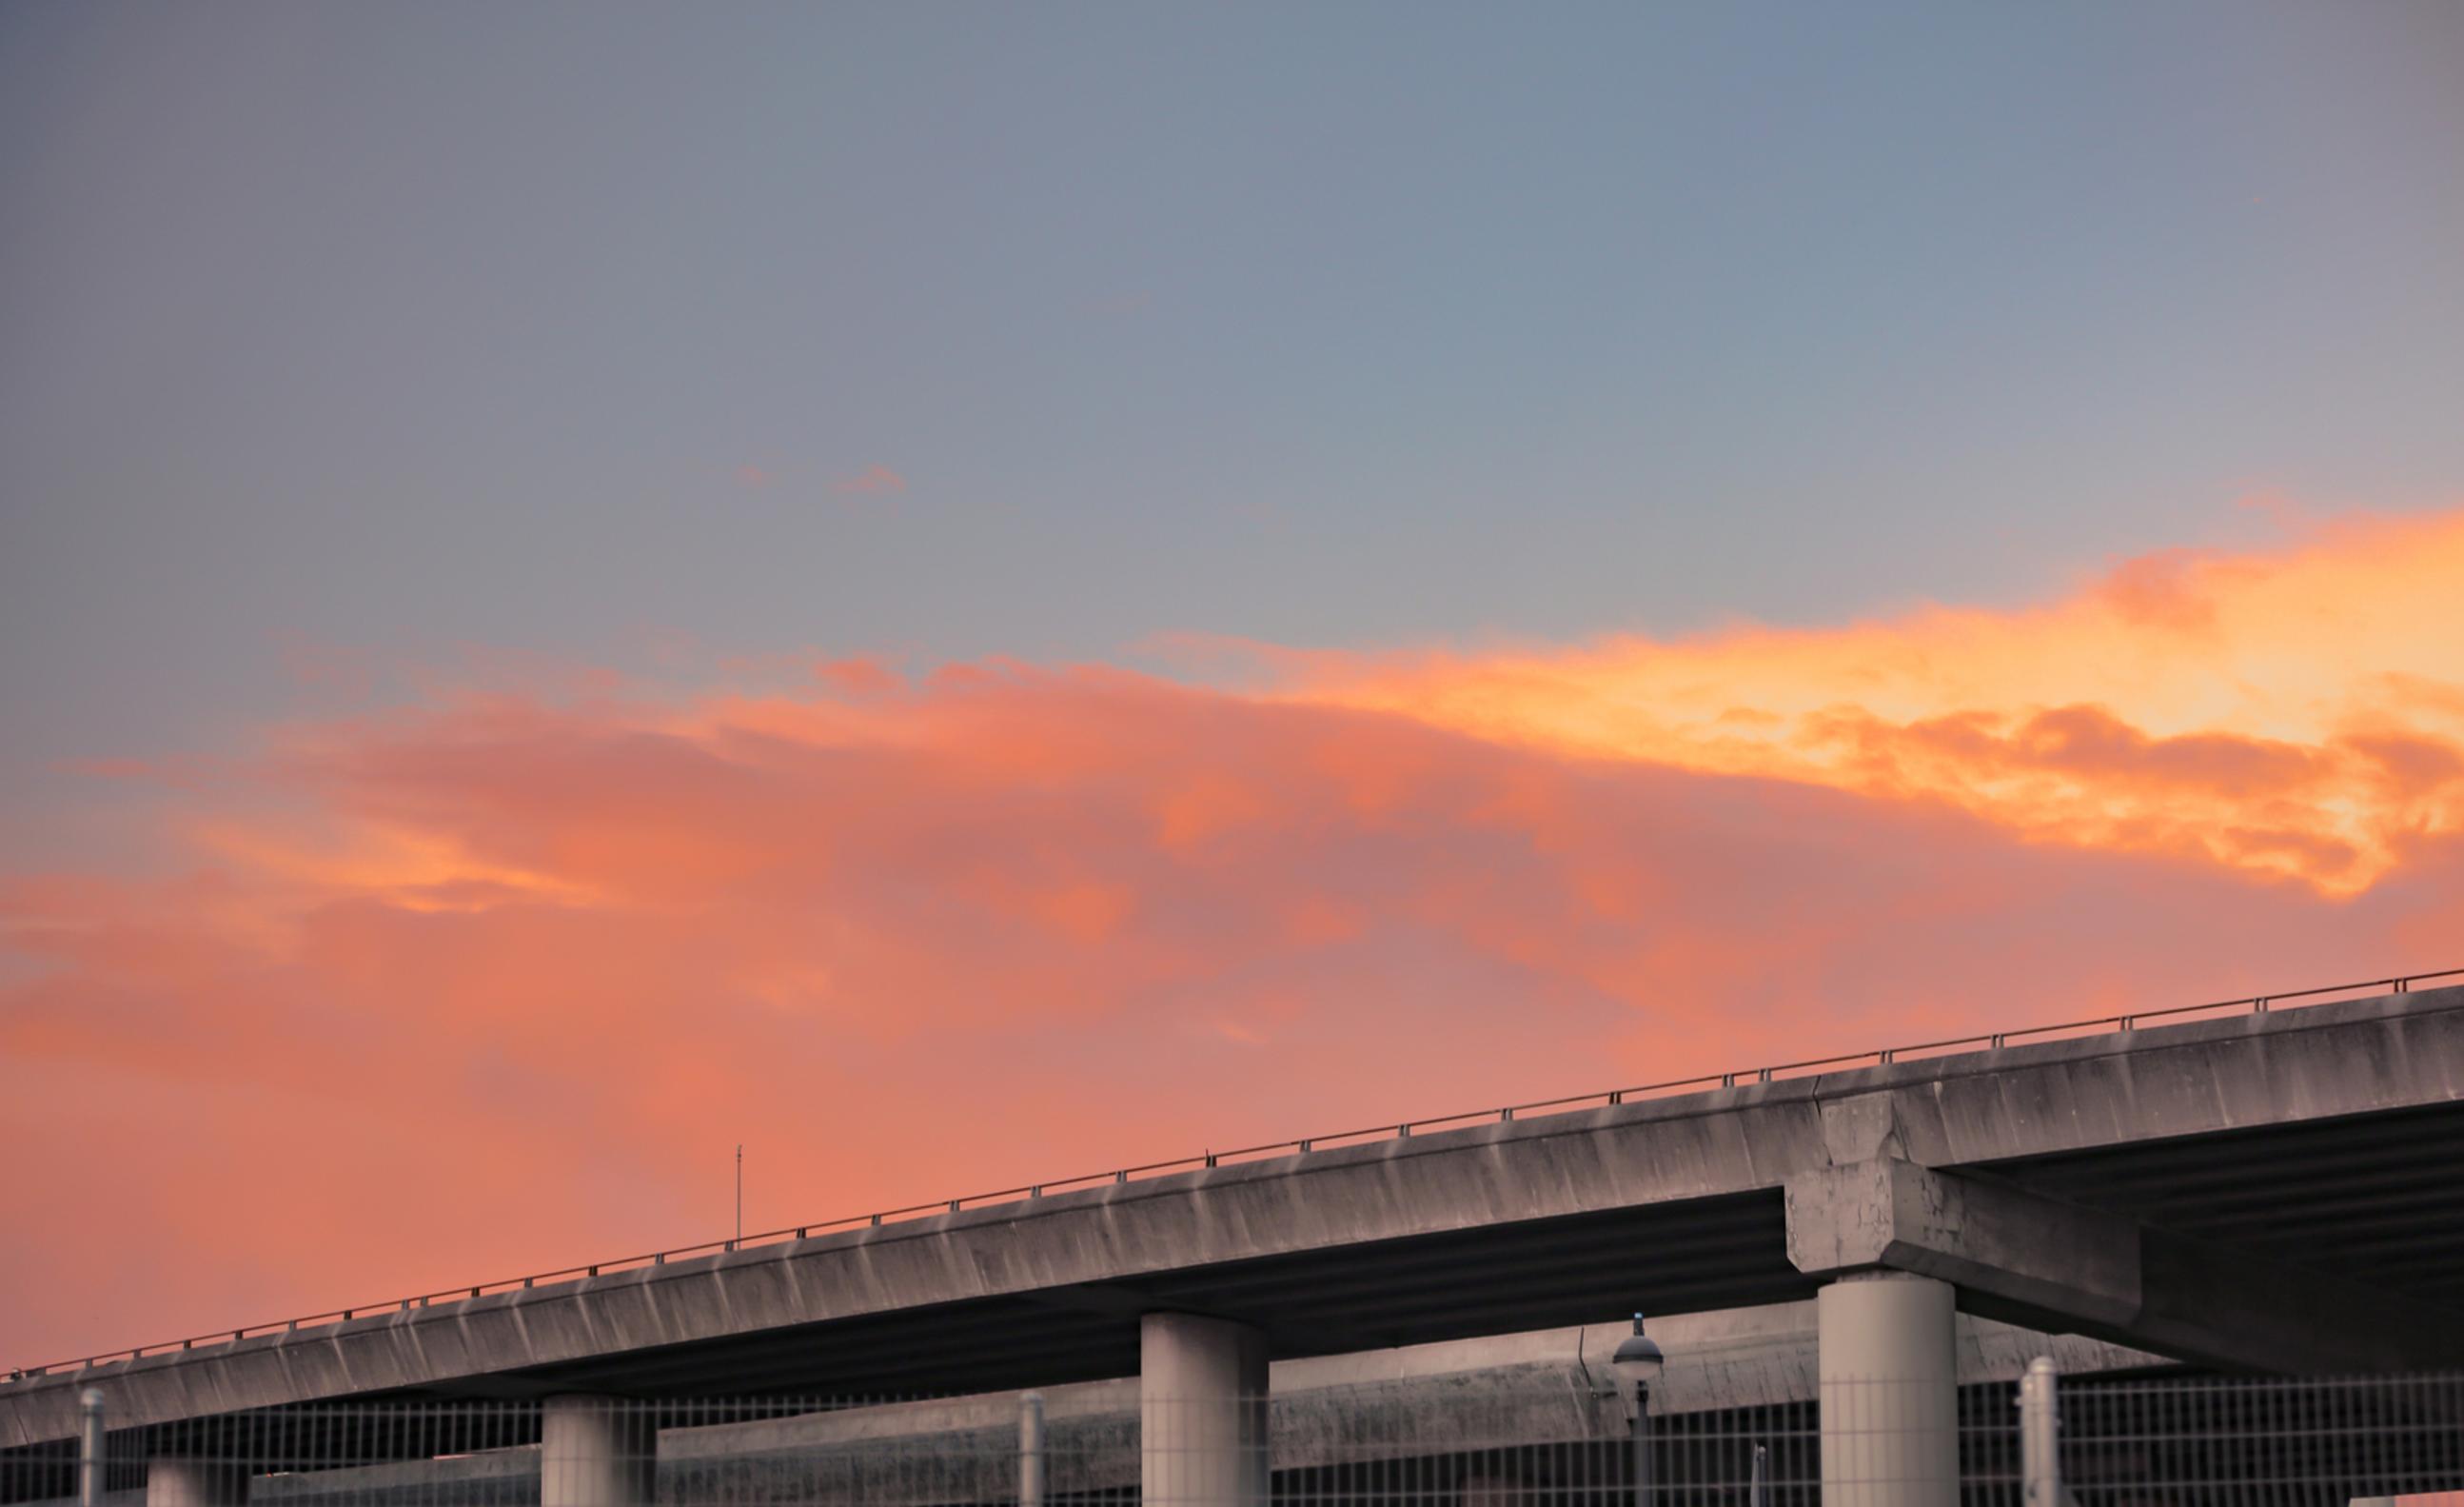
(2268, 1190)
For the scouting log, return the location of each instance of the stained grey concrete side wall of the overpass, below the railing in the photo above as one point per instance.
(2103, 1091)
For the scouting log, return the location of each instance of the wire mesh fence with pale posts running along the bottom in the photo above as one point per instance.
(2039, 1442)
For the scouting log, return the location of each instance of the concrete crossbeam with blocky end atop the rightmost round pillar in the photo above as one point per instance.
(2019, 1254)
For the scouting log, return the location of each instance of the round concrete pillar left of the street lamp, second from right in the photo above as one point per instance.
(1201, 1412)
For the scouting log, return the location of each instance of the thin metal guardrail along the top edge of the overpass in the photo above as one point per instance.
(1260, 1153)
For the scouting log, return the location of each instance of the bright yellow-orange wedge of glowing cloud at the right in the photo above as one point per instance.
(2293, 714)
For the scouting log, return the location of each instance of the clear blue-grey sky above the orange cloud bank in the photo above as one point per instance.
(398, 329)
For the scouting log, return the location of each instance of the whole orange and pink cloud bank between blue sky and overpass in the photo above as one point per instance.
(499, 980)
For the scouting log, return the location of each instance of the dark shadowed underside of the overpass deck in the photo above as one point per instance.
(2367, 1200)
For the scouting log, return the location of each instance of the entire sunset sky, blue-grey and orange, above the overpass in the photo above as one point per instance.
(979, 593)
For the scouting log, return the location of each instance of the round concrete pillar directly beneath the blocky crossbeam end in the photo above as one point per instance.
(1889, 1378)
